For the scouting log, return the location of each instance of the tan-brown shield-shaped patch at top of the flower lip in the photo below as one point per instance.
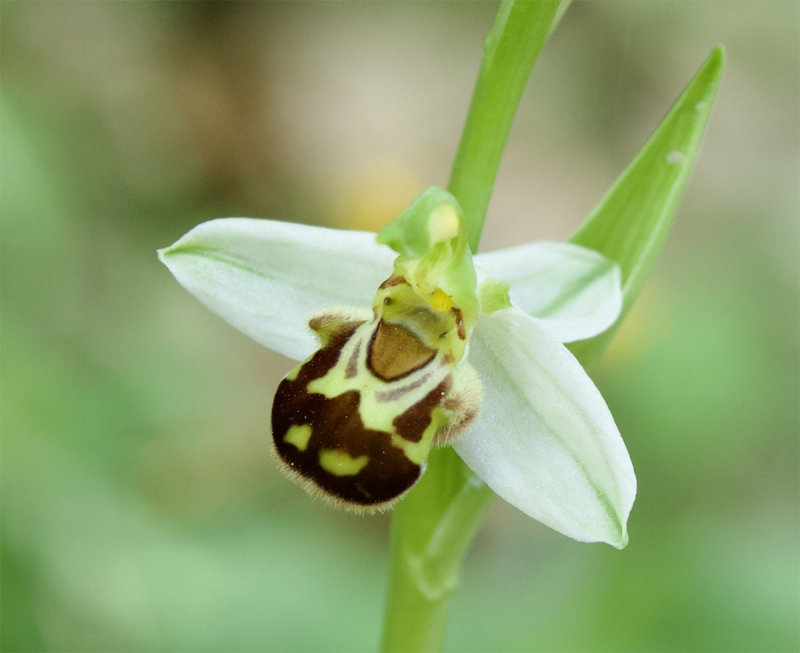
(395, 352)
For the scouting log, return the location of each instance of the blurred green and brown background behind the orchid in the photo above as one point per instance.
(140, 510)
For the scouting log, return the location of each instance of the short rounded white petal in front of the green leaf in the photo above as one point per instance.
(574, 291)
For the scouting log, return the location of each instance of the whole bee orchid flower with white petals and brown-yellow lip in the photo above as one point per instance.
(528, 420)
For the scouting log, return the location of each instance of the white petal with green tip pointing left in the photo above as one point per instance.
(267, 277)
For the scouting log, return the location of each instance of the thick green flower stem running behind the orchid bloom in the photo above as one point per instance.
(434, 525)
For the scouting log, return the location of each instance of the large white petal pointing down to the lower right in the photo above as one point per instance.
(544, 439)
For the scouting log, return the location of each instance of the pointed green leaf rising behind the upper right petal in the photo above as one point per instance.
(631, 222)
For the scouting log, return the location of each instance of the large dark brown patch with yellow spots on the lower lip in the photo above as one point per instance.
(336, 424)
